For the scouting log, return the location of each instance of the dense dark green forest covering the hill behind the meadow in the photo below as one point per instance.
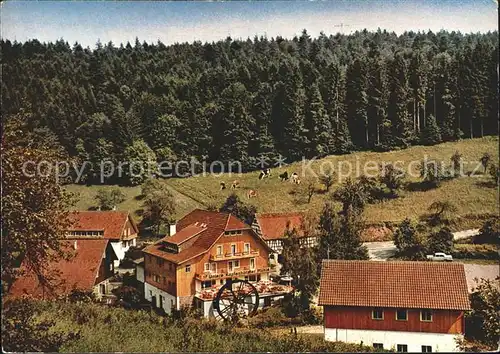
(243, 99)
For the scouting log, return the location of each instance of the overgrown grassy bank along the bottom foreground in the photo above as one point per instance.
(118, 330)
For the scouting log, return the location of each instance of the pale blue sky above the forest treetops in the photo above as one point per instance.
(120, 21)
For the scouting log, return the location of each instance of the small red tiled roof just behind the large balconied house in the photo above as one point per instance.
(273, 225)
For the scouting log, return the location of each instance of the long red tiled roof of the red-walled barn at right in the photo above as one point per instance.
(394, 284)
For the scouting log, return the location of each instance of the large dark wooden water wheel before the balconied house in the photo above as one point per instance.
(236, 299)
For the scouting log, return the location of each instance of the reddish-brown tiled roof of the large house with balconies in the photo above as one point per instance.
(214, 225)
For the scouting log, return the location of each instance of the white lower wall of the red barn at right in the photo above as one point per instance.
(439, 342)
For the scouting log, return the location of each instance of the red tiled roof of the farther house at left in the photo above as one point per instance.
(111, 222)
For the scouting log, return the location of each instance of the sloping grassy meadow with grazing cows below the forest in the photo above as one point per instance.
(473, 196)
